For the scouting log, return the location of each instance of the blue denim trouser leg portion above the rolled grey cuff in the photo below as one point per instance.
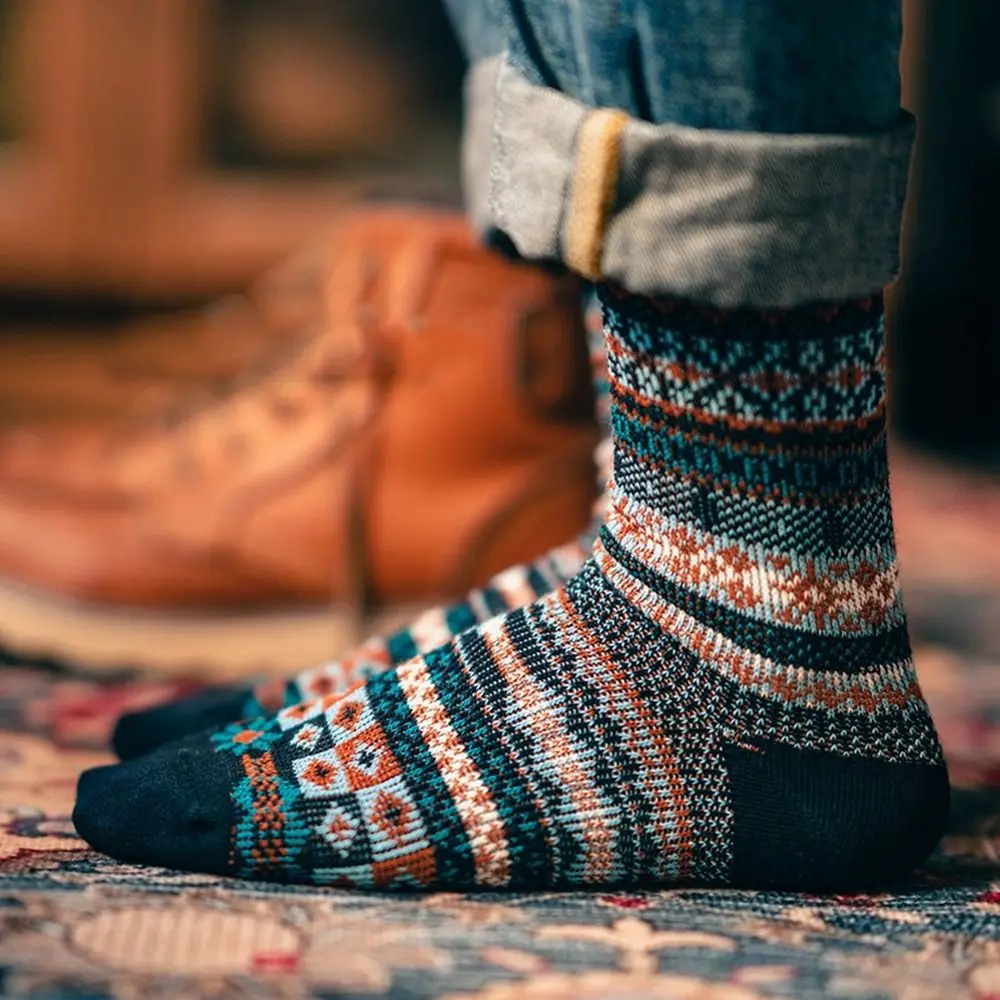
(738, 65)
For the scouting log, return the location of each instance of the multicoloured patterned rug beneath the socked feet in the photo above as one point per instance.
(76, 925)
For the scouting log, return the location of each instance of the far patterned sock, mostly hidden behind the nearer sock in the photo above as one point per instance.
(138, 733)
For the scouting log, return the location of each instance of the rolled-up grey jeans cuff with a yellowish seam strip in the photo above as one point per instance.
(726, 218)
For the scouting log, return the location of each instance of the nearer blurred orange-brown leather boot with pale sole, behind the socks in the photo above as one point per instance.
(436, 429)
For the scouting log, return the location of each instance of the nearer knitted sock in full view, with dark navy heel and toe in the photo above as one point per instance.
(722, 694)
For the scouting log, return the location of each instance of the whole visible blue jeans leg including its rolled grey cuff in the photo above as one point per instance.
(743, 152)
